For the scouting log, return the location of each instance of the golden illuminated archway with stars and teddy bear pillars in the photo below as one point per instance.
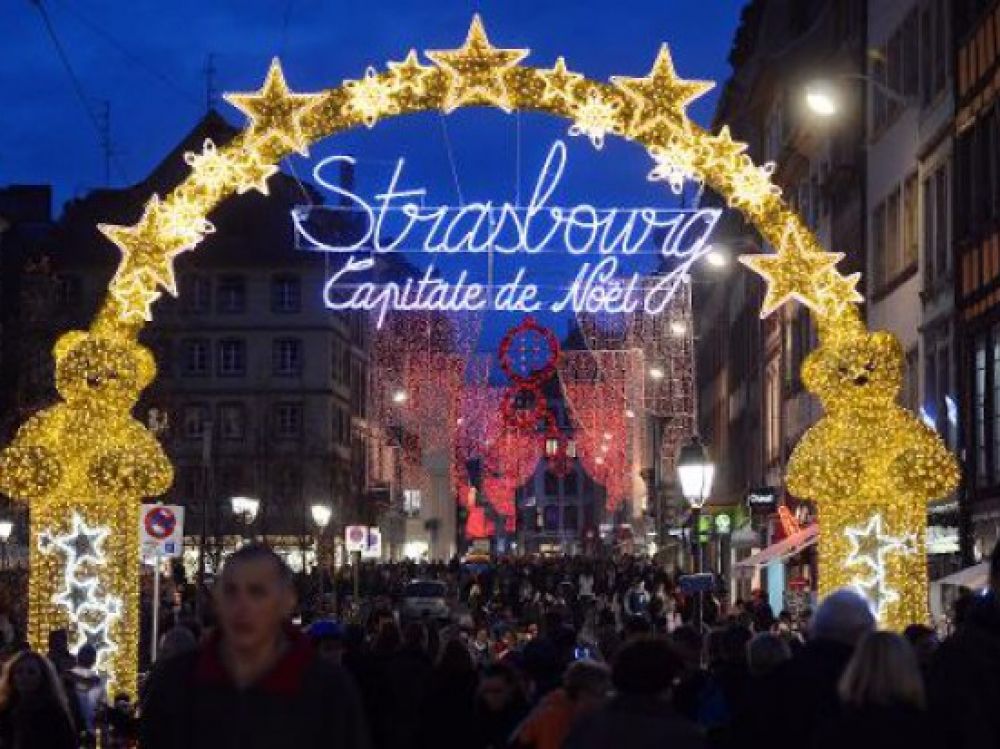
(85, 464)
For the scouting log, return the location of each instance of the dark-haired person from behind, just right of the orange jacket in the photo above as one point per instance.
(640, 715)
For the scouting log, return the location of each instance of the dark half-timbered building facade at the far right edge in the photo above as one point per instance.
(976, 260)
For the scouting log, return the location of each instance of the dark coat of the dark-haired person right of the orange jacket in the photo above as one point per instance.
(635, 723)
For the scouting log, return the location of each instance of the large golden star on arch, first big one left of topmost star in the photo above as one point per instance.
(276, 112)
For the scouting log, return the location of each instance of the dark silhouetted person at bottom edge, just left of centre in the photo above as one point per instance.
(448, 720)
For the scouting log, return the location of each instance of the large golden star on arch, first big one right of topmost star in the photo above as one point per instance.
(660, 97)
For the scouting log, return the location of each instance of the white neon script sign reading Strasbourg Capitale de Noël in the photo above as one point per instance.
(399, 220)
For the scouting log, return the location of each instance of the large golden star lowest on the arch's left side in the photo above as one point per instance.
(149, 247)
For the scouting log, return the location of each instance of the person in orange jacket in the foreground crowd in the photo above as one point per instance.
(586, 685)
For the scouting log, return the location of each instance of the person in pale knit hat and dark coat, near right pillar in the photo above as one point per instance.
(803, 690)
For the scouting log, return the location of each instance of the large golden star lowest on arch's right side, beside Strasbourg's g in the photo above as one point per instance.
(792, 272)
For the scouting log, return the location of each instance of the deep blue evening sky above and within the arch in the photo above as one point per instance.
(146, 58)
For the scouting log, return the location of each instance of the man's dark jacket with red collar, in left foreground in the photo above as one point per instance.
(303, 702)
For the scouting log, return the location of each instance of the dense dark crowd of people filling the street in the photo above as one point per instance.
(557, 654)
